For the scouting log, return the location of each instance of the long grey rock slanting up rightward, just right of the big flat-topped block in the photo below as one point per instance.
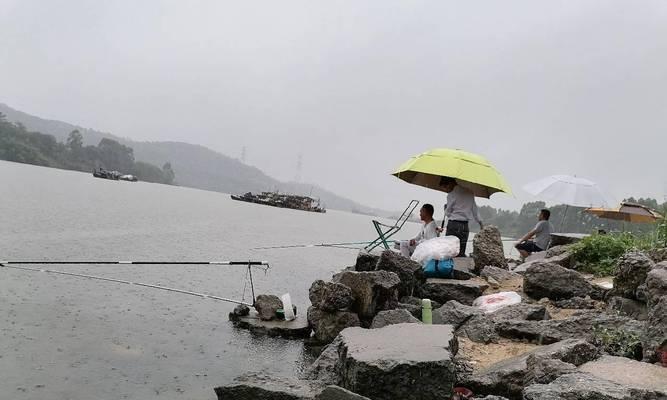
(508, 377)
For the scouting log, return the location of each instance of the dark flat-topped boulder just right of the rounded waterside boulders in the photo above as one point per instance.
(372, 291)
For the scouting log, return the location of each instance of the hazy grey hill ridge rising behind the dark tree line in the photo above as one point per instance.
(195, 166)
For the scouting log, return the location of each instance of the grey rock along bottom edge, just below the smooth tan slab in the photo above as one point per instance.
(581, 386)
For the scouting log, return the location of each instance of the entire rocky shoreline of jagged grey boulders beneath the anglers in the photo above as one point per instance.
(569, 338)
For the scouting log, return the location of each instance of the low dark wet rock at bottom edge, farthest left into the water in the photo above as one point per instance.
(264, 386)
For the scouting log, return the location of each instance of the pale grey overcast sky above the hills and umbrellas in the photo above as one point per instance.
(357, 87)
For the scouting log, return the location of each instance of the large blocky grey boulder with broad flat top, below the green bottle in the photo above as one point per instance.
(404, 361)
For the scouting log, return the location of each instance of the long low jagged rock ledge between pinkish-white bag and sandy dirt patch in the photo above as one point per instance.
(582, 325)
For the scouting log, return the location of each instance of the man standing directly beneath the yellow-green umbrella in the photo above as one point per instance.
(461, 208)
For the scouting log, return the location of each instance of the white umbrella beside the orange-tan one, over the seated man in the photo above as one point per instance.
(568, 190)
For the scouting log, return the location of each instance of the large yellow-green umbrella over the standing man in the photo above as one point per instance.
(470, 170)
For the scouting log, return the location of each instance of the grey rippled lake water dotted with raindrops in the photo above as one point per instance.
(64, 337)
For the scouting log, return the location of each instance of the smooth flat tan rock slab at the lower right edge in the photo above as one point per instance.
(643, 376)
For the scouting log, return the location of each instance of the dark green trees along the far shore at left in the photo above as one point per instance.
(20, 145)
